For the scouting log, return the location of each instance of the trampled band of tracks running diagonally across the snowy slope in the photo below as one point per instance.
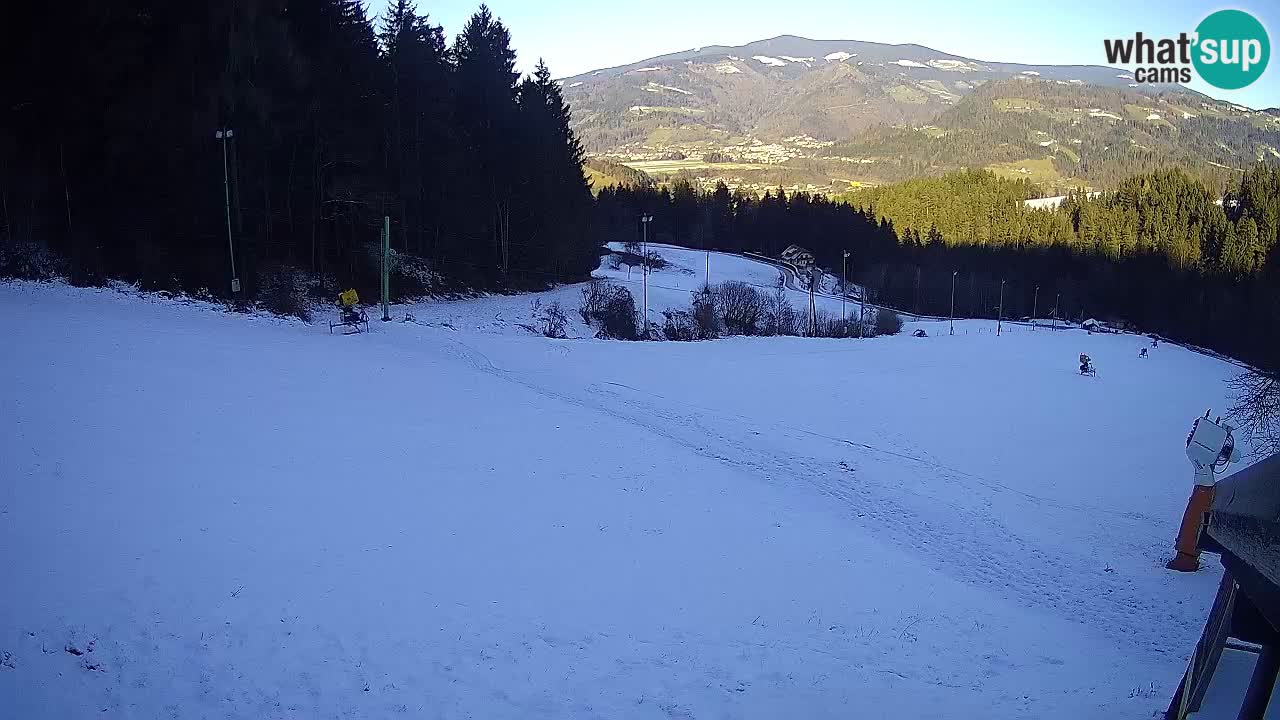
(888, 491)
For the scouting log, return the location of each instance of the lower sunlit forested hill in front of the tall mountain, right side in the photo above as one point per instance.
(1063, 136)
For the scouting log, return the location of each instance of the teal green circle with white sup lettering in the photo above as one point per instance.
(1232, 49)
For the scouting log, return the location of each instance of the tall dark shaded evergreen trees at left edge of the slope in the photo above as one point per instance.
(108, 149)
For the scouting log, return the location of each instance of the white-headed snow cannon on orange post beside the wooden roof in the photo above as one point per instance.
(1210, 448)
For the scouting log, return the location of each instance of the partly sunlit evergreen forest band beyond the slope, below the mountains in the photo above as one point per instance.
(1159, 253)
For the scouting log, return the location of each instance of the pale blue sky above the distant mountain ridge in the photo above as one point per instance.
(575, 37)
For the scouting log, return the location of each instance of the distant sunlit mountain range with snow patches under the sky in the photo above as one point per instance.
(828, 116)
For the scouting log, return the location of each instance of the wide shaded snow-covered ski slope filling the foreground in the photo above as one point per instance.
(240, 517)
